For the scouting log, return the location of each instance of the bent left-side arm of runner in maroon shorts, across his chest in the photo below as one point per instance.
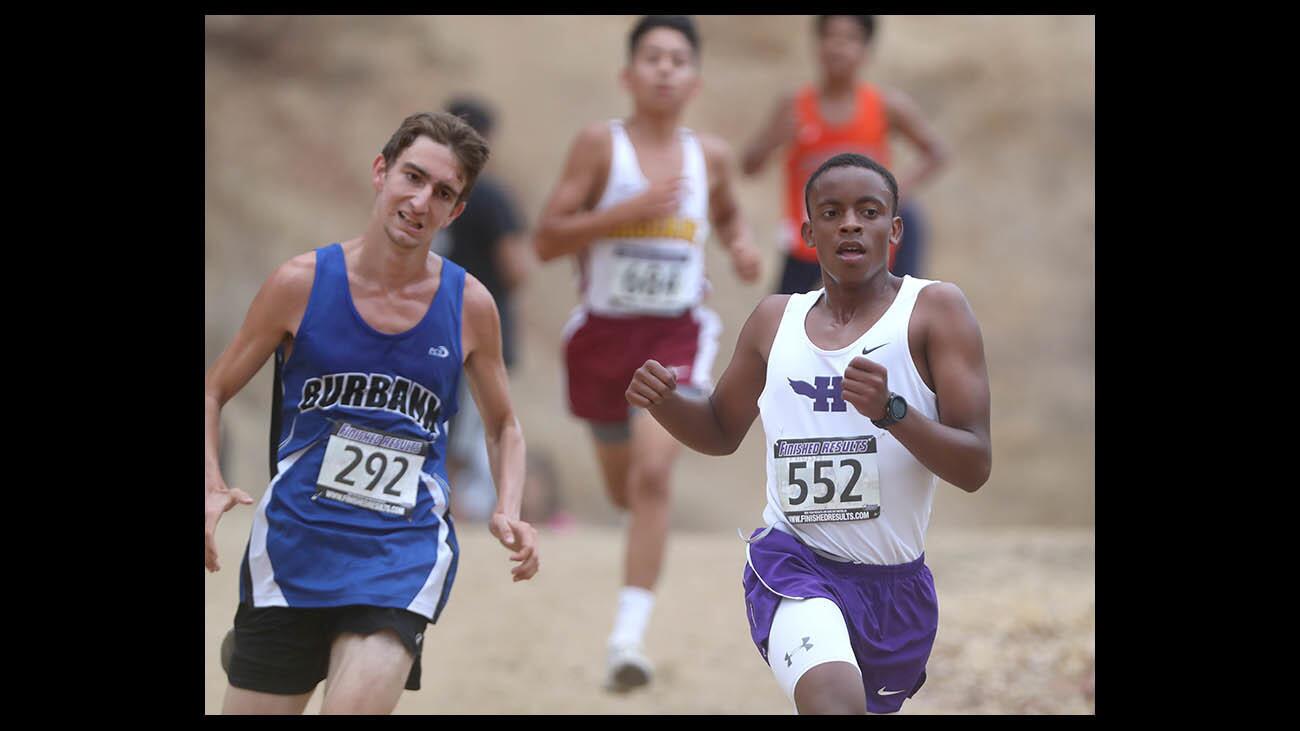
(569, 223)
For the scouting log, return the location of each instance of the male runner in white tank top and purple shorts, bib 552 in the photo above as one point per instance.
(839, 599)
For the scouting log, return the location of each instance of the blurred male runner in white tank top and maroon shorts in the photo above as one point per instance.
(635, 205)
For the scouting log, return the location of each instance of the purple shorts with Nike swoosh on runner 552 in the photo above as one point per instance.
(892, 612)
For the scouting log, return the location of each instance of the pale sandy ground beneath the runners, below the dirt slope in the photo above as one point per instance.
(1016, 634)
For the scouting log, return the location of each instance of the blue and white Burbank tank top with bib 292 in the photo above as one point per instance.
(358, 509)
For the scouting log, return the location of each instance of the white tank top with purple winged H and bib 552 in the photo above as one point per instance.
(835, 481)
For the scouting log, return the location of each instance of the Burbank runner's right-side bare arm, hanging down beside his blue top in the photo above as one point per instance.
(489, 386)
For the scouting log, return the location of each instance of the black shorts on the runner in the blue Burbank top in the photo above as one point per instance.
(285, 651)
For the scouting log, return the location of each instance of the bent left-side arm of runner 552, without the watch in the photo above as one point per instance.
(718, 423)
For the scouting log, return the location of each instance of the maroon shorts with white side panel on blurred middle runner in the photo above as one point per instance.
(601, 354)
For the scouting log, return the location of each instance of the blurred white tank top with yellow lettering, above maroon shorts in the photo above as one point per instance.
(649, 267)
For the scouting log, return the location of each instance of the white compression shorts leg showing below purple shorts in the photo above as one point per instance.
(807, 634)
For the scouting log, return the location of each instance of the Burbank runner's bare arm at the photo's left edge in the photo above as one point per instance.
(274, 315)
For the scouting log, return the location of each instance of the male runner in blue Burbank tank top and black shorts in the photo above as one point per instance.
(353, 550)
